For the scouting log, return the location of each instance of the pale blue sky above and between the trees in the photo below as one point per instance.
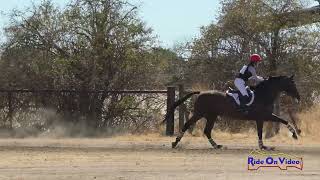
(173, 21)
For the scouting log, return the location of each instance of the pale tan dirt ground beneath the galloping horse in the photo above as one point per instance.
(148, 157)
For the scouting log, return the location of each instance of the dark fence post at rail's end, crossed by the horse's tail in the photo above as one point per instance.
(170, 101)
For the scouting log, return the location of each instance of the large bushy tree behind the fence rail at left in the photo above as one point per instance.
(90, 45)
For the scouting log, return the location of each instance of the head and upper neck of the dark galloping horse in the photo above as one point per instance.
(287, 85)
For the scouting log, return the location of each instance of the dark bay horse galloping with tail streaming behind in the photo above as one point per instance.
(212, 104)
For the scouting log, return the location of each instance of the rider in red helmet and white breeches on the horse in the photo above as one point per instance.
(247, 72)
